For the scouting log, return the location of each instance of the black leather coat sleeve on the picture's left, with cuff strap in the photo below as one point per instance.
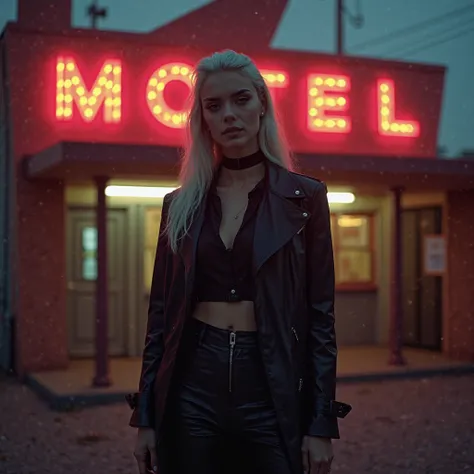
(142, 402)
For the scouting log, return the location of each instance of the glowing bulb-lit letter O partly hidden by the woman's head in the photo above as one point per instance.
(161, 110)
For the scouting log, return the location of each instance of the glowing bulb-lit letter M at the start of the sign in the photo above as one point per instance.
(106, 90)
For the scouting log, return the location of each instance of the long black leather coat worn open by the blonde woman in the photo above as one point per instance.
(294, 274)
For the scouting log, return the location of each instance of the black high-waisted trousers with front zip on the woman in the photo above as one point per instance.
(221, 413)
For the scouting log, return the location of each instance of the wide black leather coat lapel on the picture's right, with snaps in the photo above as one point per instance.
(280, 215)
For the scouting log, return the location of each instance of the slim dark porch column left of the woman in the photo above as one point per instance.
(101, 378)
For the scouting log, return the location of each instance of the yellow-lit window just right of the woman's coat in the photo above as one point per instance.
(353, 251)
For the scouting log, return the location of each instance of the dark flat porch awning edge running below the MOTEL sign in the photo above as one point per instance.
(79, 161)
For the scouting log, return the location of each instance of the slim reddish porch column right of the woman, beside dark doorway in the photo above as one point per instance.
(396, 312)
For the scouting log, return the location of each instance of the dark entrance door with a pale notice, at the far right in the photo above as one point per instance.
(422, 294)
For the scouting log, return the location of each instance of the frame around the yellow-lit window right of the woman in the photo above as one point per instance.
(371, 248)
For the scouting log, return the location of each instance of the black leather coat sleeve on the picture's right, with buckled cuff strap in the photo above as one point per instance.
(322, 348)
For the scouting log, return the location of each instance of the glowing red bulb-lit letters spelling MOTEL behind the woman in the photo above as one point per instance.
(327, 98)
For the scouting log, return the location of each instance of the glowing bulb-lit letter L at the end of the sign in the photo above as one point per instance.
(387, 123)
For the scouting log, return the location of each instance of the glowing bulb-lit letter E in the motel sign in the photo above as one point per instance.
(324, 95)
